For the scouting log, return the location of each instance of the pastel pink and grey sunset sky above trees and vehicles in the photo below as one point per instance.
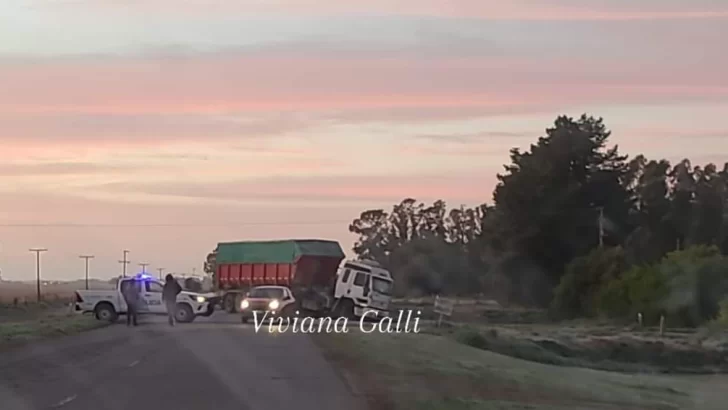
(268, 119)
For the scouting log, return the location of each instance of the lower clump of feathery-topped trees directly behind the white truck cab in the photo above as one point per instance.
(424, 246)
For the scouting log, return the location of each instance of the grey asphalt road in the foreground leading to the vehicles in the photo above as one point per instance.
(213, 363)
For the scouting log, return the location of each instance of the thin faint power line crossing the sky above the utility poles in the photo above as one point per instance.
(202, 225)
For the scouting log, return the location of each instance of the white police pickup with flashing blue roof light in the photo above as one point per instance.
(109, 304)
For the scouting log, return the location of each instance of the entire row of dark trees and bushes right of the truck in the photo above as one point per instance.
(570, 217)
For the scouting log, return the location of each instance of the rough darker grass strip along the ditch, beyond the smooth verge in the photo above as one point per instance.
(530, 334)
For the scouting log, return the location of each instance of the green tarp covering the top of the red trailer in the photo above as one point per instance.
(287, 251)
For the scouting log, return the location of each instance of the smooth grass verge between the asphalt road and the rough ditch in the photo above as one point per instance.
(424, 371)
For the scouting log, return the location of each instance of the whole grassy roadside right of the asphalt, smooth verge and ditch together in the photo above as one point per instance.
(489, 357)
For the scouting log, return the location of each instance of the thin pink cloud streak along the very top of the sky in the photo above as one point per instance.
(527, 10)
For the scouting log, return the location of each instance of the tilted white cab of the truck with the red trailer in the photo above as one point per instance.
(363, 286)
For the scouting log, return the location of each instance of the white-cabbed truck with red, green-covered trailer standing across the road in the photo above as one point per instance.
(310, 275)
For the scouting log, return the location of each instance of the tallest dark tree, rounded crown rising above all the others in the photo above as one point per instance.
(549, 197)
